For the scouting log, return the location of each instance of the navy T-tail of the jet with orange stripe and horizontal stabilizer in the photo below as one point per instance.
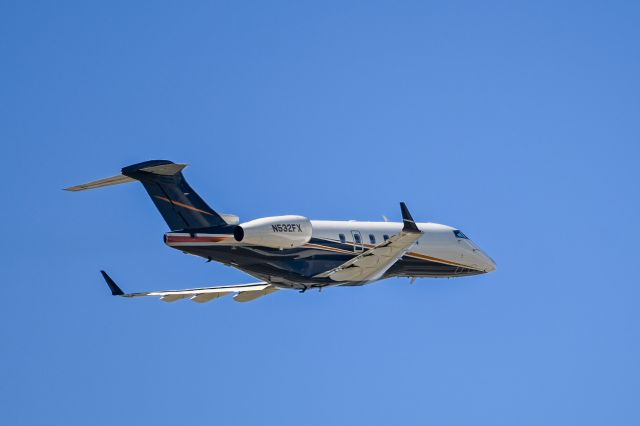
(180, 206)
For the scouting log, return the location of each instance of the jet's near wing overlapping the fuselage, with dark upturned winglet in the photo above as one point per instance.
(373, 263)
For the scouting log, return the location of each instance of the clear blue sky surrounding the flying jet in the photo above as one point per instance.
(517, 122)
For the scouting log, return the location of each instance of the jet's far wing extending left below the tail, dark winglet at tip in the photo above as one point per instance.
(243, 292)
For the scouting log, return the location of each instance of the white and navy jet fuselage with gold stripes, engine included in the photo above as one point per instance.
(297, 252)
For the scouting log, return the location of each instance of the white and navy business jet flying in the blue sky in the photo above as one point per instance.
(292, 251)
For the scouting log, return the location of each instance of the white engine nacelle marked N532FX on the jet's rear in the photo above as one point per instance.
(275, 232)
